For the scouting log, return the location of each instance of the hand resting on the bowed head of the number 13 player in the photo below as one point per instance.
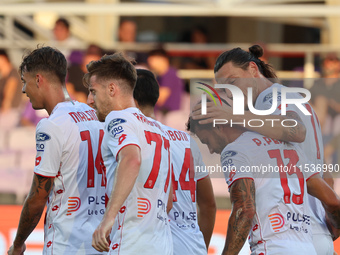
(213, 112)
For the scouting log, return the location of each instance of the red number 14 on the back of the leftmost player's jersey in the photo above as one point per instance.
(98, 162)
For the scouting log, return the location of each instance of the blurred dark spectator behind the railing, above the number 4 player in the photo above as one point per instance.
(199, 36)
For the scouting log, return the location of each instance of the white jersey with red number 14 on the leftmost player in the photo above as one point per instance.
(68, 148)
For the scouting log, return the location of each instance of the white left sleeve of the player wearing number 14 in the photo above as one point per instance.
(49, 144)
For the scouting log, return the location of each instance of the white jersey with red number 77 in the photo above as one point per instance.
(142, 224)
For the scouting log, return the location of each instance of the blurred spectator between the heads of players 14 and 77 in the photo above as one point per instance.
(76, 72)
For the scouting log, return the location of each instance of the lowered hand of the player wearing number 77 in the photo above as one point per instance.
(101, 234)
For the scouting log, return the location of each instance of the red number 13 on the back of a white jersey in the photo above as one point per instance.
(290, 168)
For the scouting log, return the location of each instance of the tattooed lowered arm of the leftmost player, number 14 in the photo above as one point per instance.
(33, 208)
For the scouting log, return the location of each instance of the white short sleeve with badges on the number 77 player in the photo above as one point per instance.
(122, 132)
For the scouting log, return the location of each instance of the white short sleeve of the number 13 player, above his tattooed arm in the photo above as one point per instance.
(234, 165)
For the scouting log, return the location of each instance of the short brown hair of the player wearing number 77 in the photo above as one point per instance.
(115, 67)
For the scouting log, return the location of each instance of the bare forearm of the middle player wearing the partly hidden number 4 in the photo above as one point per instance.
(206, 222)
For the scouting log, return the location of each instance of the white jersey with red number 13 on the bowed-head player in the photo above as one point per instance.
(282, 222)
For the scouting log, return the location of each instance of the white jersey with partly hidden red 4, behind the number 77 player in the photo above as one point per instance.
(186, 235)
